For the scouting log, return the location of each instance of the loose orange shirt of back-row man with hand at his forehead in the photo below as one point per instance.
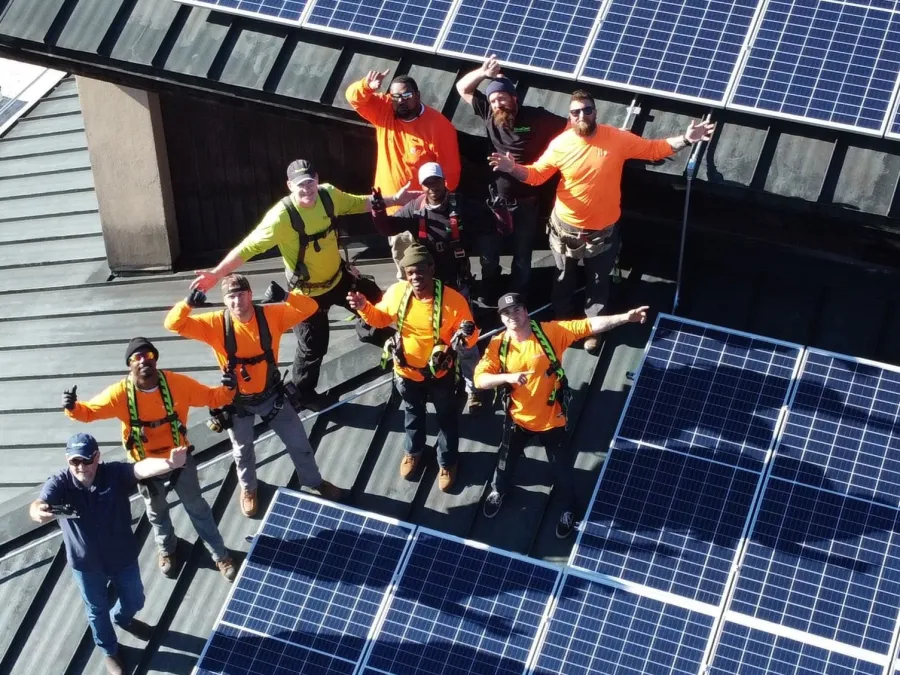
(405, 146)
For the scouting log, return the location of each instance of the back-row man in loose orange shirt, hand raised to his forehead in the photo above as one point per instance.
(408, 134)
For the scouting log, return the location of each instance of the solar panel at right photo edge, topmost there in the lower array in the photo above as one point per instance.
(843, 432)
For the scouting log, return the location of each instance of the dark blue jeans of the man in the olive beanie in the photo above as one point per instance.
(442, 392)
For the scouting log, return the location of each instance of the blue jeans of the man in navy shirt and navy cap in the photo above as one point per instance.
(94, 592)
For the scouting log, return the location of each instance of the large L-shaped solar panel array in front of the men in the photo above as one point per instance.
(746, 521)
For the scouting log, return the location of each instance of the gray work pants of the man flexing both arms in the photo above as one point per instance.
(289, 429)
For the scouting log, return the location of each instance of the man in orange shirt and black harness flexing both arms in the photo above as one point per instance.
(246, 338)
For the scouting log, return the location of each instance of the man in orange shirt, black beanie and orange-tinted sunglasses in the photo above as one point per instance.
(152, 405)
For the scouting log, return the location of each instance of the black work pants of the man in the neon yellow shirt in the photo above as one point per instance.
(313, 334)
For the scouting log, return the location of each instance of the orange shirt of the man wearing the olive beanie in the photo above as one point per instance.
(418, 333)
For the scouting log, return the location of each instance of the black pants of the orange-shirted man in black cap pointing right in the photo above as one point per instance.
(515, 439)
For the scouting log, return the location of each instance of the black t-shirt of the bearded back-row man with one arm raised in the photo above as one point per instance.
(526, 141)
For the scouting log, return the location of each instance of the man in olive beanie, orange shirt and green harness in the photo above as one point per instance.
(432, 321)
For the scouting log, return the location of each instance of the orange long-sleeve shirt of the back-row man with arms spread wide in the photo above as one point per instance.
(589, 195)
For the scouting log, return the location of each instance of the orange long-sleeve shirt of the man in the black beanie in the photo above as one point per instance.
(186, 393)
